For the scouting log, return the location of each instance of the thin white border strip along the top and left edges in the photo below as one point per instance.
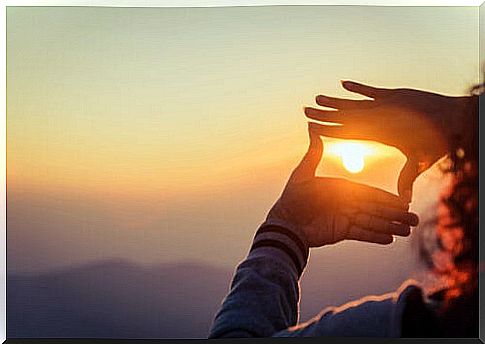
(144, 3)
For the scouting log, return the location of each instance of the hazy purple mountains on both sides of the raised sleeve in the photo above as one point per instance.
(118, 299)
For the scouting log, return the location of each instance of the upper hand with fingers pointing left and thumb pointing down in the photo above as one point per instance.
(420, 124)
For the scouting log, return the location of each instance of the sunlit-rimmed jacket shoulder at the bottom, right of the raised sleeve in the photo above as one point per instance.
(371, 316)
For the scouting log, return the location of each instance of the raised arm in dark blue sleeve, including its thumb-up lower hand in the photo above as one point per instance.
(311, 212)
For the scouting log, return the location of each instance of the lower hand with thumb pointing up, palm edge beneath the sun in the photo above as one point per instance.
(328, 210)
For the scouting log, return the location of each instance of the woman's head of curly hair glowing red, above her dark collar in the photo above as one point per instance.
(457, 228)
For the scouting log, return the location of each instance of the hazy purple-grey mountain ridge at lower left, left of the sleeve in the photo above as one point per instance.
(116, 299)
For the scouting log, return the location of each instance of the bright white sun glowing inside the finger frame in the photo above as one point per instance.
(352, 154)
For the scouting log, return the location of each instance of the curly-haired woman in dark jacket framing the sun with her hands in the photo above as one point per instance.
(315, 212)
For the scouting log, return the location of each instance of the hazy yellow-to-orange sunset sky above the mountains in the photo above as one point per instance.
(166, 134)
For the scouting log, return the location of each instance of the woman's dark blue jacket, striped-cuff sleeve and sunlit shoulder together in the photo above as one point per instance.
(264, 297)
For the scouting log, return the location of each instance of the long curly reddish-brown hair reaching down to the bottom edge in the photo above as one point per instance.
(455, 258)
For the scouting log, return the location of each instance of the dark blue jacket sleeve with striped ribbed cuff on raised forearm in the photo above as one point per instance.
(264, 294)
